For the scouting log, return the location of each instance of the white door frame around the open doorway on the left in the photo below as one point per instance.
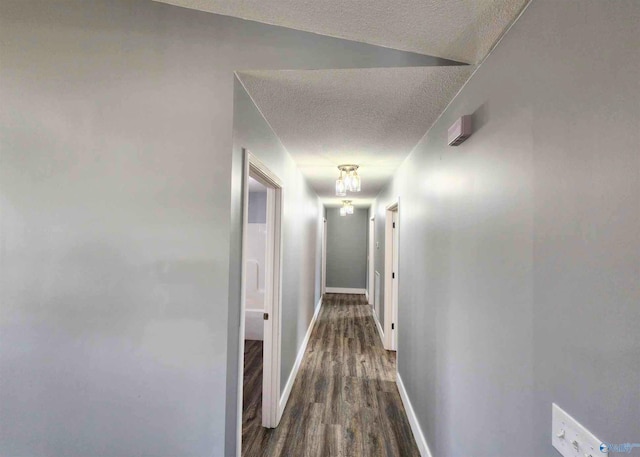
(273, 292)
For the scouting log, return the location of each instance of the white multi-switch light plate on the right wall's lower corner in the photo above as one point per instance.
(570, 438)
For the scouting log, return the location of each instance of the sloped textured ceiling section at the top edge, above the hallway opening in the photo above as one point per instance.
(461, 30)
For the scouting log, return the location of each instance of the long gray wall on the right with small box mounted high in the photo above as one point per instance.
(520, 249)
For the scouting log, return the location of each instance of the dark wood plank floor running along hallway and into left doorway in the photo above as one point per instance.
(344, 401)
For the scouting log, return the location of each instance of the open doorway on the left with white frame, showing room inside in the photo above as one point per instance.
(260, 305)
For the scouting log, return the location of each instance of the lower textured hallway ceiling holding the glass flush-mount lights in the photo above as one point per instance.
(372, 117)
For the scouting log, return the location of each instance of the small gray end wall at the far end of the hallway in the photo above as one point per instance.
(347, 249)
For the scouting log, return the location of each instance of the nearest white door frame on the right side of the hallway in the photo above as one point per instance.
(391, 283)
